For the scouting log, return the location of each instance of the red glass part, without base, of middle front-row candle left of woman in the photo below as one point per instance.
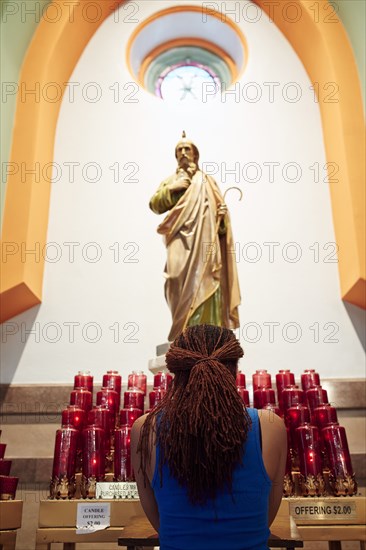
(94, 453)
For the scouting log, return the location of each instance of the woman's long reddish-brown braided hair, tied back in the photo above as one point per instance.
(202, 423)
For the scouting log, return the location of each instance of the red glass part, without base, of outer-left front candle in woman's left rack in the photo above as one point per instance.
(64, 458)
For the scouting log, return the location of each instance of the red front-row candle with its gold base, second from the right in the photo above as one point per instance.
(311, 468)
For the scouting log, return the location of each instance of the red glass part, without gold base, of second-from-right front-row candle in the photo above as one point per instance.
(308, 444)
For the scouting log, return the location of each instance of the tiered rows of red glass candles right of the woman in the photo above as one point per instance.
(318, 459)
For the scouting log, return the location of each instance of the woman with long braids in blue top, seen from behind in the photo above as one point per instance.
(215, 490)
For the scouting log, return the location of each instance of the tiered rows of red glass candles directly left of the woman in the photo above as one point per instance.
(93, 442)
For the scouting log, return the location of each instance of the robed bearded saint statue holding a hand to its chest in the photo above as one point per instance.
(201, 277)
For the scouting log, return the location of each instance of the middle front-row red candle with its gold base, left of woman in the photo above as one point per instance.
(93, 467)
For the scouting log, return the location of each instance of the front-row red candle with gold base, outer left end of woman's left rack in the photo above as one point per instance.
(64, 463)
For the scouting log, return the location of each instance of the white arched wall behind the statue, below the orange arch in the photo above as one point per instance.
(121, 300)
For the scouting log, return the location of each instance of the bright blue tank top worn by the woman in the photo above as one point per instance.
(231, 522)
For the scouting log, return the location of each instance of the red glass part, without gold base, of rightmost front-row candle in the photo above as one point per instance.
(336, 446)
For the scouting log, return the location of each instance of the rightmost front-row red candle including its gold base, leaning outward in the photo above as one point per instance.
(342, 477)
